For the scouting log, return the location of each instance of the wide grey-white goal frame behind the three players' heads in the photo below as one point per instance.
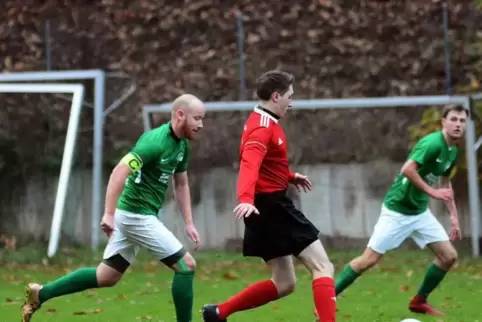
(377, 102)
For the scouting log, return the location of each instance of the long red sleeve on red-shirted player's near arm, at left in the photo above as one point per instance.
(254, 149)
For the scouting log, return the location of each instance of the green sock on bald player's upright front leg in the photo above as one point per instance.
(182, 295)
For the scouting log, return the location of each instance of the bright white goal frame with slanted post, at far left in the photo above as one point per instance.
(77, 91)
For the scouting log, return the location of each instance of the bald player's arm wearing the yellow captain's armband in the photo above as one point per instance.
(117, 179)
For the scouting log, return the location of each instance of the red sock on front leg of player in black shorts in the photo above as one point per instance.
(325, 298)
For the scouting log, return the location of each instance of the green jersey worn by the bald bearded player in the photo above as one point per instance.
(156, 156)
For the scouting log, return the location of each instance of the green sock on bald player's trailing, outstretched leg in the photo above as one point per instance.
(80, 280)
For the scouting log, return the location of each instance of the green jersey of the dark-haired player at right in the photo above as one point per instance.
(434, 158)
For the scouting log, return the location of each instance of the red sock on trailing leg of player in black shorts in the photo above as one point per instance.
(255, 295)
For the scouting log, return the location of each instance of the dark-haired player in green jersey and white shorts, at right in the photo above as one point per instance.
(405, 211)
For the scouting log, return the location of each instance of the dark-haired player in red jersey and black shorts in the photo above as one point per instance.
(274, 229)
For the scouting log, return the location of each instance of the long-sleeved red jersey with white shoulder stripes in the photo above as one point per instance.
(264, 160)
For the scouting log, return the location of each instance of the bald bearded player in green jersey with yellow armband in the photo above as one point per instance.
(135, 194)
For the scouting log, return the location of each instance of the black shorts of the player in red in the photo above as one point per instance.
(279, 230)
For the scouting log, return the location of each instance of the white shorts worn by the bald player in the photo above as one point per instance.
(133, 231)
